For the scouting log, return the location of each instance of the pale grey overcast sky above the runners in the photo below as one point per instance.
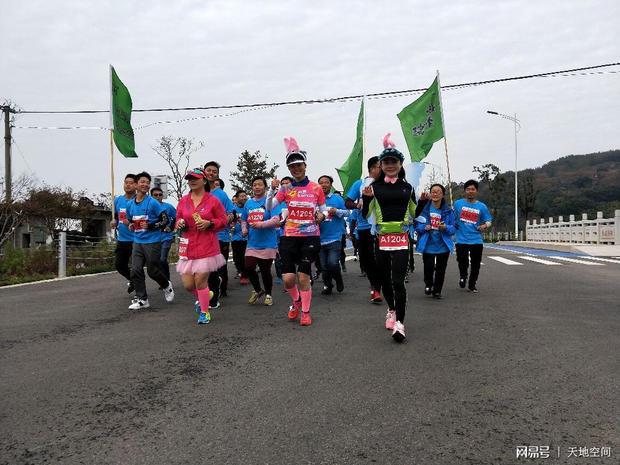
(55, 56)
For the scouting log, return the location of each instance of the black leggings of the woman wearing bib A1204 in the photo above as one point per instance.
(392, 268)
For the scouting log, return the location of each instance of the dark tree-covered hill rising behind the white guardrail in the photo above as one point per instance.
(571, 185)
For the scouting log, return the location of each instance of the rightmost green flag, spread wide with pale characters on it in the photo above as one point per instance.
(421, 122)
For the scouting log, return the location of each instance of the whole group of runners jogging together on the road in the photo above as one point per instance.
(297, 222)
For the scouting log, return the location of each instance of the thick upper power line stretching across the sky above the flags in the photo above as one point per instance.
(562, 73)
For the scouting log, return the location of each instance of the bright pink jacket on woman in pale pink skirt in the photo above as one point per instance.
(202, 244)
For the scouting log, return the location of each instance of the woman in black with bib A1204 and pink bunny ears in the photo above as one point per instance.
(389, 201)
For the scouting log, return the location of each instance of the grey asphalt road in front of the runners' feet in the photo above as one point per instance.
(531, 360)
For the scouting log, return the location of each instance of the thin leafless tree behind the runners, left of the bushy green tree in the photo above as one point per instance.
(176, 152)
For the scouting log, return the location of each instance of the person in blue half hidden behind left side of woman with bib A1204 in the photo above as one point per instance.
(366, 242)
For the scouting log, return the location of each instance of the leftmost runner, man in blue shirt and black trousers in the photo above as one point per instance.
(124, 237)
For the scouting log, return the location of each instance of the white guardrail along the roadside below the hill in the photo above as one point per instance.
(584, 231)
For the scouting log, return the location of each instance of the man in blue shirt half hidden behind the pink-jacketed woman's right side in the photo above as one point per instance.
(218, 282)
